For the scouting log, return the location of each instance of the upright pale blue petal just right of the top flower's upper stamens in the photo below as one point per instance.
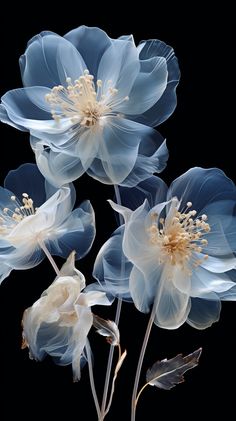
(119, 64)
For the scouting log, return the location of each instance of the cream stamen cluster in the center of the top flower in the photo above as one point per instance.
(84, 102)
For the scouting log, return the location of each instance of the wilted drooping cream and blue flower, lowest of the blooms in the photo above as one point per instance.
(58, 323)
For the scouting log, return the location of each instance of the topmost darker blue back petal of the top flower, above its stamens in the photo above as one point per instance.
(91, 43)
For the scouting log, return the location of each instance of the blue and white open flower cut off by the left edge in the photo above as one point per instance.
(33, 213)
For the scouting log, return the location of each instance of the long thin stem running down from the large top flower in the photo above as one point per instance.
(117, 319)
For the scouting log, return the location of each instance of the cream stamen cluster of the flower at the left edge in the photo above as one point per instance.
(9, 218)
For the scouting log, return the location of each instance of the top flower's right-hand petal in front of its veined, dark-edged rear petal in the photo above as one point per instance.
(148, 87)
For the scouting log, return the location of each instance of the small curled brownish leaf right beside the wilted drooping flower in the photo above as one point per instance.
(107, 328)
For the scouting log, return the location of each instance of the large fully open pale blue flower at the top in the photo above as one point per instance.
(90, 103)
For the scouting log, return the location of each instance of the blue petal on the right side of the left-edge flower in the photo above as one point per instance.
(79, 235)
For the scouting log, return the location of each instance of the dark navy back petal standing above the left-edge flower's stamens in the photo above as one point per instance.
(27, 179)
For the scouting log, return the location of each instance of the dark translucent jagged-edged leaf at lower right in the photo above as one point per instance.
(166, 374)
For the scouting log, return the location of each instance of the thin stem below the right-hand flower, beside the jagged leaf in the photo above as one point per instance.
(140, 363)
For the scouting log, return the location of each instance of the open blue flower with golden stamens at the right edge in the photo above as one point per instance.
(180, 243)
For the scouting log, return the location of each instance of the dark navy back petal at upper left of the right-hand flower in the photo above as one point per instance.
(153, 189)
